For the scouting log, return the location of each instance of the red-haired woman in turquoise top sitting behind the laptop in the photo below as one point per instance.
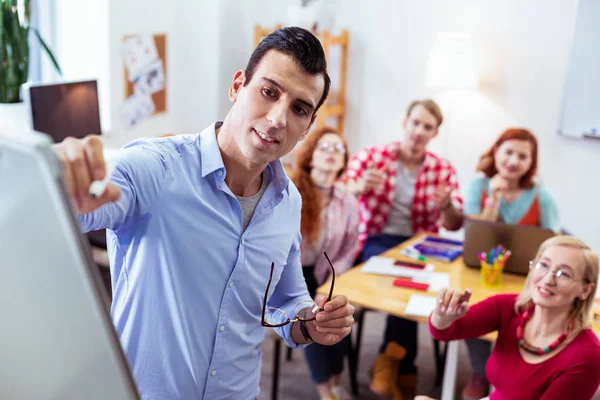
(506, 191)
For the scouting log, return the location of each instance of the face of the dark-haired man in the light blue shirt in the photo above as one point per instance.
(275, 109)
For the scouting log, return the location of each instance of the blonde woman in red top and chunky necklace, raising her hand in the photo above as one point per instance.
(545, 347)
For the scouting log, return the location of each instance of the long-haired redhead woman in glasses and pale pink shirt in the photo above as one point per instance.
(329, 223)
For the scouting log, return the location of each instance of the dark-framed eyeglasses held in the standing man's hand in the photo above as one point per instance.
(305, 310)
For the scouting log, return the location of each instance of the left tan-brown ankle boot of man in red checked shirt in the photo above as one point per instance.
(384, 372)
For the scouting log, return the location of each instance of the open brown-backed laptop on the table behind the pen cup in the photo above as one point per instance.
(522, 240)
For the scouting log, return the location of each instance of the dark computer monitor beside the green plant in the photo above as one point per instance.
(64, 109)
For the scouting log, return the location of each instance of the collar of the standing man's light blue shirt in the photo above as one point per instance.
(213, 161)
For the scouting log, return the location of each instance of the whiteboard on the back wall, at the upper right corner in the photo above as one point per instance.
(580, 114)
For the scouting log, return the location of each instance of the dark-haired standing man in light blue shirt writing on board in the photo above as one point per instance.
(195, 222)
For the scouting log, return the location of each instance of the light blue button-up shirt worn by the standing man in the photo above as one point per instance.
(188, 283)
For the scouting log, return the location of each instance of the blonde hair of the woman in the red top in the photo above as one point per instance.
(581, 310)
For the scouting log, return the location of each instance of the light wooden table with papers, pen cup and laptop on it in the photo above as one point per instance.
(377, 292)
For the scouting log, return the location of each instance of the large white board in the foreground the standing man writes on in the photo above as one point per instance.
(57, 340)
